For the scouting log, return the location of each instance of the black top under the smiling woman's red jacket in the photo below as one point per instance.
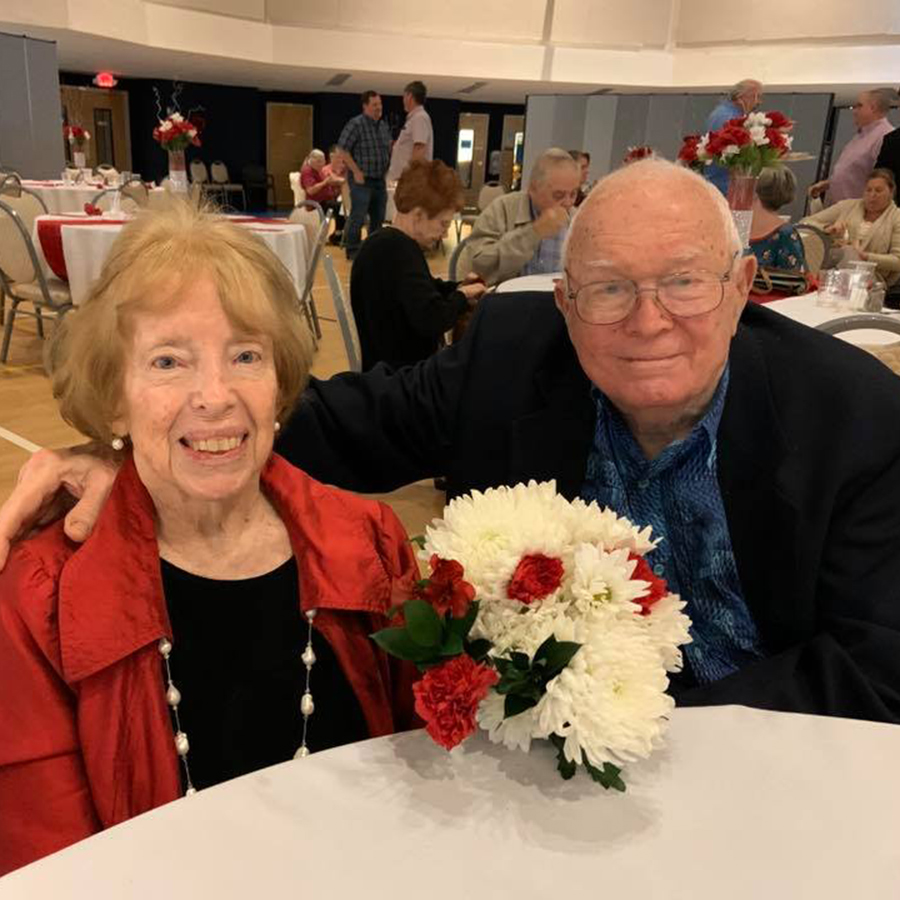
(235, 658)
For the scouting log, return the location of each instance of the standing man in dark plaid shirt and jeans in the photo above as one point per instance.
(365, 145)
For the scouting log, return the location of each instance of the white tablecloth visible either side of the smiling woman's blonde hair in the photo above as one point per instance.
(86, 248)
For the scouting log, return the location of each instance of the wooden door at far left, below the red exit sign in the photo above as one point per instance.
(104, 114)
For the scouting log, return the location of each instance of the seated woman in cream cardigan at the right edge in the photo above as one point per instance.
(869, 227)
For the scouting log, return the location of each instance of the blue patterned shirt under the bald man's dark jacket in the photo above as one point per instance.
(678, 494)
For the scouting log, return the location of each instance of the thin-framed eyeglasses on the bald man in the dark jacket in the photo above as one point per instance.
(683, 295)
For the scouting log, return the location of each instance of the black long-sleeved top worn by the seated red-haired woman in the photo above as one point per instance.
(401, 310)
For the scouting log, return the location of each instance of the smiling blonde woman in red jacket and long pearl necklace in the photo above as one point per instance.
(221, 589)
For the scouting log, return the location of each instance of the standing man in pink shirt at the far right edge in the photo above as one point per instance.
(853, 167)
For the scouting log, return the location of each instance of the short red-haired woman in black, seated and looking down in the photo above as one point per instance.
(401, 310)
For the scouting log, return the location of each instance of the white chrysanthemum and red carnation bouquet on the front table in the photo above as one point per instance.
(541, 620)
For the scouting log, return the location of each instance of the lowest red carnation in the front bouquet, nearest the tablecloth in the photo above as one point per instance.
(447, 698)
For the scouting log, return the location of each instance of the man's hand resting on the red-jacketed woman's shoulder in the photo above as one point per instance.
(45, 488)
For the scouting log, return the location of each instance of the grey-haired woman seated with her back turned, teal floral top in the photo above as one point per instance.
(774, 242)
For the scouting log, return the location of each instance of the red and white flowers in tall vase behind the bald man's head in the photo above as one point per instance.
(745, 146)
